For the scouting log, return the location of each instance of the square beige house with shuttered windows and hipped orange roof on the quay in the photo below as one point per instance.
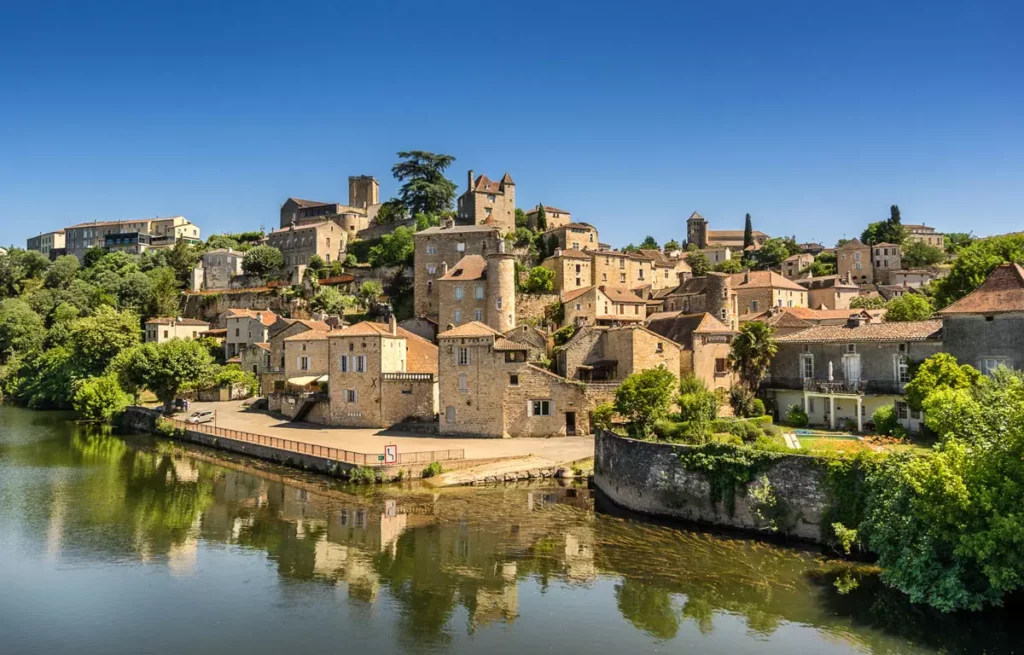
(381, 375)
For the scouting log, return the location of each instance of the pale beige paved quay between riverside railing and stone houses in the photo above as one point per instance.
(232, 416)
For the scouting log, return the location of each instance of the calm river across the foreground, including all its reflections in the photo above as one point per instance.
(129, 545)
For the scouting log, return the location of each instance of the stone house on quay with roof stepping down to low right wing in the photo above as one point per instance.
(488, 389)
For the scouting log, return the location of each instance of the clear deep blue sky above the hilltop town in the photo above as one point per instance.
(815, 117)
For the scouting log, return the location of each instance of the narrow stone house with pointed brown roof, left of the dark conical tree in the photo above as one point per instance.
(705, 343)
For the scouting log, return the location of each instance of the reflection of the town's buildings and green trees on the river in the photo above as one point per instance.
(444, 565)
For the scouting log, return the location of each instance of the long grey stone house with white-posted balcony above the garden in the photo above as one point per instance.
(840, 375)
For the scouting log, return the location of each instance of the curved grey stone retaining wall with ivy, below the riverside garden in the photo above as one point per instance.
(650, 478)
